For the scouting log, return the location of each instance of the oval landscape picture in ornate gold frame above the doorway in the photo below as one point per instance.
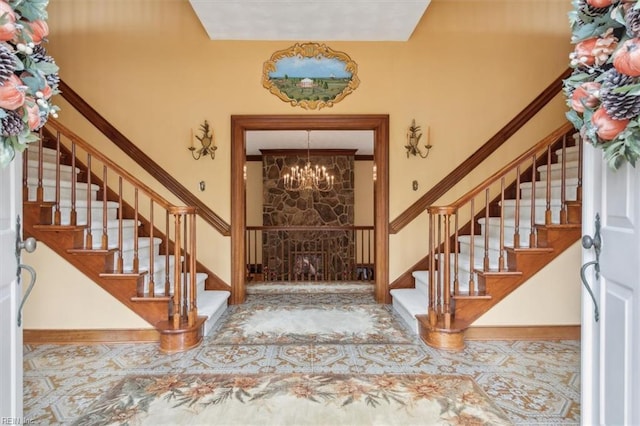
(310, 75)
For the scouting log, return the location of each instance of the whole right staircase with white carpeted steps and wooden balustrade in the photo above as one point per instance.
(524, 216)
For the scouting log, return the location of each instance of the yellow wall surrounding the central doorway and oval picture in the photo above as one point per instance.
(148, 67)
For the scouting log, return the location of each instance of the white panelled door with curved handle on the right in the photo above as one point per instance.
(611, 346)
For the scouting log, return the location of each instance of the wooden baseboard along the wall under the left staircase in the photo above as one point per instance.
(90, 336)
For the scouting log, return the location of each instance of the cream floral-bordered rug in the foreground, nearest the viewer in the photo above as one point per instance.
(295, 399)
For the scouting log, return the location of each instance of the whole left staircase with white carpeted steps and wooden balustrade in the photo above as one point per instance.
(131, 241)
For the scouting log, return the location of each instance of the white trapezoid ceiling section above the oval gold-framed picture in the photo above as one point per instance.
(310, 20)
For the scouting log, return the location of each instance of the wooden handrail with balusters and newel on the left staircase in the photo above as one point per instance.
(179, 234)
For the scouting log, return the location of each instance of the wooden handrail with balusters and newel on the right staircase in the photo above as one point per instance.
(448, 222)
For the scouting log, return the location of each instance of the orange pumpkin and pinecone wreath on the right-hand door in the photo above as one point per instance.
(603, 92)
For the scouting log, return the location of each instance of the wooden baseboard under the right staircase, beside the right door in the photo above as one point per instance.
(544, 332)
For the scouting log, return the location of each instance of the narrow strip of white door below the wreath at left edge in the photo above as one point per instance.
(10, 293)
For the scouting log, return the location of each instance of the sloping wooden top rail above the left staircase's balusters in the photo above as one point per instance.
(159, 199)
